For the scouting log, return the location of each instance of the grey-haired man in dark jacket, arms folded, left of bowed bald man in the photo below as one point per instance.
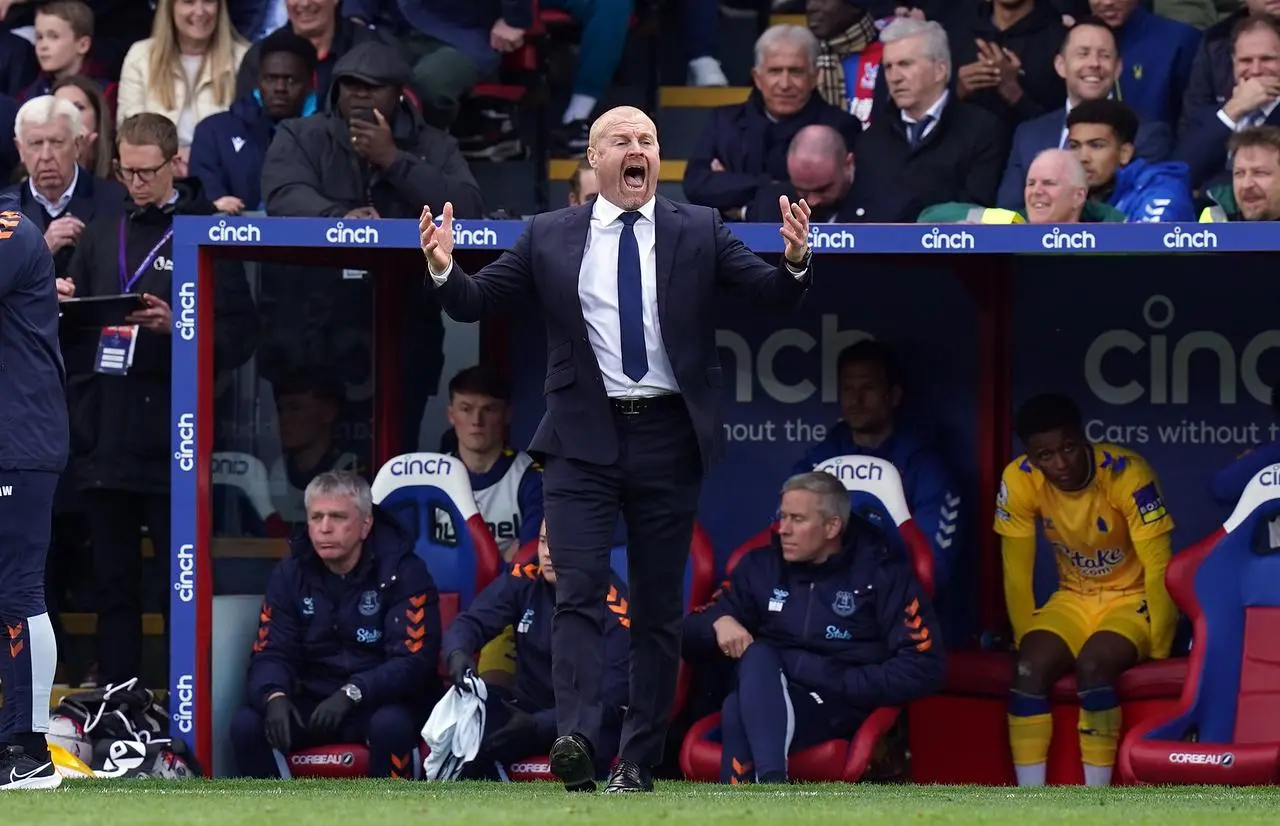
(744, 148)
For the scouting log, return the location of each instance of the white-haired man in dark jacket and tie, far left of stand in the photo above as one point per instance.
(58, 195)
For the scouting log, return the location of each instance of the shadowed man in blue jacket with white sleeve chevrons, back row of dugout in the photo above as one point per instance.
(871, 394)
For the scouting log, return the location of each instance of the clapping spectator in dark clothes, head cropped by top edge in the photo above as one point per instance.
(1005, 60)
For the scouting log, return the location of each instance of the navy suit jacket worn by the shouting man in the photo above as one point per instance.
(696, 253)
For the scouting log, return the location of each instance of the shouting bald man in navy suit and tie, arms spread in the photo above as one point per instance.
(633, 412)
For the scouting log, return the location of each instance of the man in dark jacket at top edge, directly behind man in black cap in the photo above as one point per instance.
(331, 34)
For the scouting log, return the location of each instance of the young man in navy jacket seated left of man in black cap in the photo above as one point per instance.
(228, 149)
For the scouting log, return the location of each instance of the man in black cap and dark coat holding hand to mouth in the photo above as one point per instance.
(371, 156)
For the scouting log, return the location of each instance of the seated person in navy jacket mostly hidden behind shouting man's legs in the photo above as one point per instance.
(523, 722)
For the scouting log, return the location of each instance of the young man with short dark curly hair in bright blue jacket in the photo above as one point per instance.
(1101, 134)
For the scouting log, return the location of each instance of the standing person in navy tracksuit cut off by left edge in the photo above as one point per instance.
(34, 445)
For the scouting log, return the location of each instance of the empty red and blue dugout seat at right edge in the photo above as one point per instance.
(1226, 728)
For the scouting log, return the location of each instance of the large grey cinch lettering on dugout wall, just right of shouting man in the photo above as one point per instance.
(762, 368)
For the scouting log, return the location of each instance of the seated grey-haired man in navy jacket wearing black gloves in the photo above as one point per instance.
(349, 640)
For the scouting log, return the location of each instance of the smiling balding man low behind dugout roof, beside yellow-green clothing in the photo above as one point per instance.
(1057, 193)
